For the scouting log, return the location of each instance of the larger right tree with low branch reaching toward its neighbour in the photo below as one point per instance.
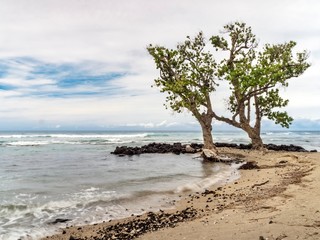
(254, 78)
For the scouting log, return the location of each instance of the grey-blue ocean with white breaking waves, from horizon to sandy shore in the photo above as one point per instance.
(73, 176)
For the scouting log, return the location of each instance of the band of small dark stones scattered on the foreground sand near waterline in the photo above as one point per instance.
(152, 222)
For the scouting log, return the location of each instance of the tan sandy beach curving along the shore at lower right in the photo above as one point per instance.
(280, 200)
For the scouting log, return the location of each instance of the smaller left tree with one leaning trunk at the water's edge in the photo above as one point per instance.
(187, 75)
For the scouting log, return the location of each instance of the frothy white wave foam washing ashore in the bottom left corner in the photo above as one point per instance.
(30, 220)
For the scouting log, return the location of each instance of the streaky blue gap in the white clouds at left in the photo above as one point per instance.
(65, 80)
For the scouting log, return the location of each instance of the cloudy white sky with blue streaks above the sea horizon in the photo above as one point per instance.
(83, 65)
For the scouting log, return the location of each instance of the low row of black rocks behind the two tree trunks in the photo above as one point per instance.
(178, 148)
